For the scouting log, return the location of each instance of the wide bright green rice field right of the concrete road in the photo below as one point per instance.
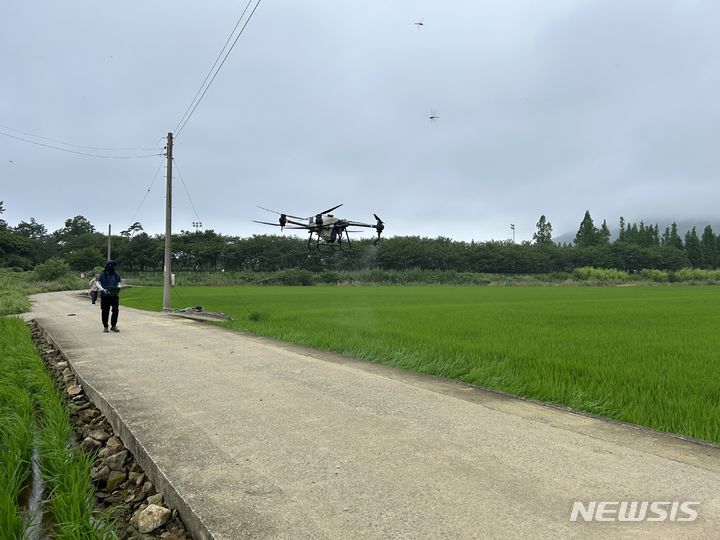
(641, 354)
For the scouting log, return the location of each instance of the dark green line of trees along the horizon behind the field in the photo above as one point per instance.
(637, 247)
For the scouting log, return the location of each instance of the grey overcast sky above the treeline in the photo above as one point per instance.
(552, 107)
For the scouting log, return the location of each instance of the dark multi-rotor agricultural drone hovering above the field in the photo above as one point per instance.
(325, 229)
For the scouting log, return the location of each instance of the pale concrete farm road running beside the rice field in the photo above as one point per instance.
(253, 438)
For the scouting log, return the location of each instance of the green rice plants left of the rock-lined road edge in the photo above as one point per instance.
(33, 413)
